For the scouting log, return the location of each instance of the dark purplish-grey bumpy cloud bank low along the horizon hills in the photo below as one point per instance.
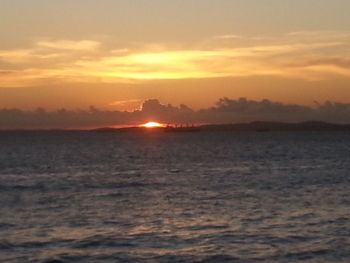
(224, 111)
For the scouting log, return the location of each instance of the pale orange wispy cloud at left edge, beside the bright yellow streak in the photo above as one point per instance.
(45, 62)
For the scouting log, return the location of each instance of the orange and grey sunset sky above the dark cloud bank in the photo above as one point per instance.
(116, 54)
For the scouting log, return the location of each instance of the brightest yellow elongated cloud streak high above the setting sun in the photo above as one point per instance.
(194, 64)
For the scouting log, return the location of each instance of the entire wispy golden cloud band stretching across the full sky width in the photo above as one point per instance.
(306, 55)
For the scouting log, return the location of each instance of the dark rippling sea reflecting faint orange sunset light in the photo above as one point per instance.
(206, 197)
